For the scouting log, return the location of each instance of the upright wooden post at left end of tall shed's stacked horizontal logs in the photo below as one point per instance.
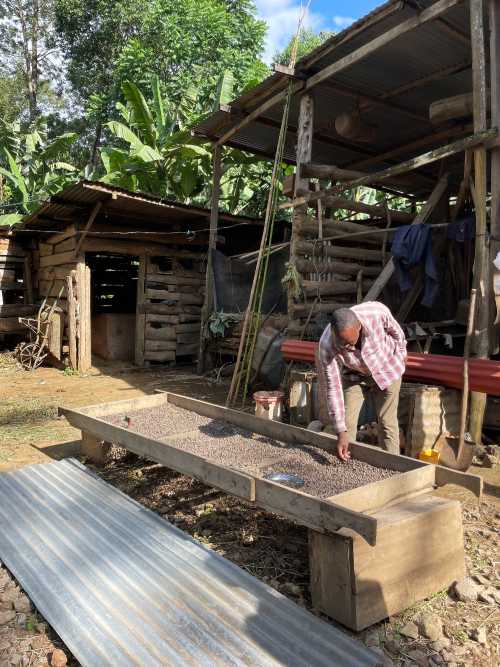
(303, 156)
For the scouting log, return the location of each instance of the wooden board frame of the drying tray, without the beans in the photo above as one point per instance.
(326, 516)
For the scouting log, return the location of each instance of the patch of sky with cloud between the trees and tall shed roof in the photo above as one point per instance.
(282, 16)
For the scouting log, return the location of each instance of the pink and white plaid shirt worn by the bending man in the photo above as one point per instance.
(382, 355)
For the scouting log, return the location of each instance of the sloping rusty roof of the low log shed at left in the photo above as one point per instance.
(74, 203)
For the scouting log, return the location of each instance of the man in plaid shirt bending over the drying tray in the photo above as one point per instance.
(369, 346)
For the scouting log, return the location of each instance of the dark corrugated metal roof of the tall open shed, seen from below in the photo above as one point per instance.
(428, 63)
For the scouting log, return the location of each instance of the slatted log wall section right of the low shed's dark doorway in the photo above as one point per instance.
(172, 306)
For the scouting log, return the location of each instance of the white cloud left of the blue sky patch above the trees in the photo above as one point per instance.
(282, 17)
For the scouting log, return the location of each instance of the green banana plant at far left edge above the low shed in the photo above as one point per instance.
(34, 168)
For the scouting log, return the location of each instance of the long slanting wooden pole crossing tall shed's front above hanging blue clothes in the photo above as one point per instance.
(485, 138)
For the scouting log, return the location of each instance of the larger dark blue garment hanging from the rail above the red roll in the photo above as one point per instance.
(412, 245)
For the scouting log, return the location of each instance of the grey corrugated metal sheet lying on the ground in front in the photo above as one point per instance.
(121, 586)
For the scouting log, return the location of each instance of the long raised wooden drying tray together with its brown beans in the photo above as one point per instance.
(236, 452)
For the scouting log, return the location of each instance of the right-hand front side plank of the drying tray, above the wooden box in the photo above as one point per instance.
(324, 516)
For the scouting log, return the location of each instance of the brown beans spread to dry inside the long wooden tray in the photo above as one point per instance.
(323, 474)
